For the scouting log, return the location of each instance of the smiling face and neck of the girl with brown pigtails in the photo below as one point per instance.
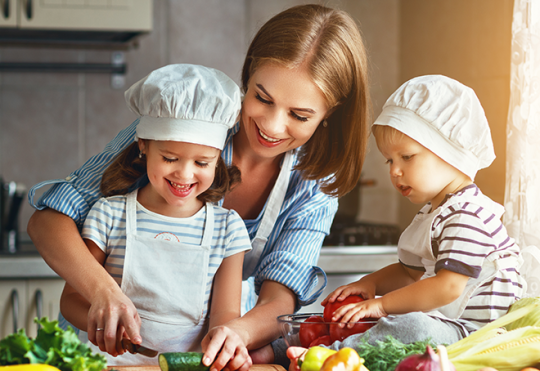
(178, 173)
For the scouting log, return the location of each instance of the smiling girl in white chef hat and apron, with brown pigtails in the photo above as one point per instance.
(177, 256)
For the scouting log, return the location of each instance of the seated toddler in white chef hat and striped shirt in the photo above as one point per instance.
(458, 268)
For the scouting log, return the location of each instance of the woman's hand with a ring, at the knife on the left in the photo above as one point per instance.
(116, 315)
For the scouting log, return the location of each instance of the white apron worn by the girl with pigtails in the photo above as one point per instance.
(166, 281)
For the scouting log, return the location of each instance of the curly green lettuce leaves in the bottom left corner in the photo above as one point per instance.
(52, 346)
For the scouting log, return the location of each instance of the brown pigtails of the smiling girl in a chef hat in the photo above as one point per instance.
(127, 167)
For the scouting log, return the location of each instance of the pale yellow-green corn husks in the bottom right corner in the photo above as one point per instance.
(493, 346)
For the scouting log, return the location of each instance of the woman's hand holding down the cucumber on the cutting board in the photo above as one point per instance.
(233, 353)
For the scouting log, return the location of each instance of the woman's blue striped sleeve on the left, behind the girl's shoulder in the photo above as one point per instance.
(75, 195)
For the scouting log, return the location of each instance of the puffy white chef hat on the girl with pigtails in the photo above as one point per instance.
(185, 103)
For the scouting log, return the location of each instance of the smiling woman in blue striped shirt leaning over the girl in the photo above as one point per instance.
(299, 144)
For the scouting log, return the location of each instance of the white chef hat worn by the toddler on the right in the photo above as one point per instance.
(444, 116)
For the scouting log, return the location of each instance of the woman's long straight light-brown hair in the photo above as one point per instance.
(329, 43)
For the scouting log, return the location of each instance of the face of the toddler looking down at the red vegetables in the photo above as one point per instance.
(419, 174)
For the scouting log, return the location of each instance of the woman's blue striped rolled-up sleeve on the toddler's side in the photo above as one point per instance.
(292, 251)
